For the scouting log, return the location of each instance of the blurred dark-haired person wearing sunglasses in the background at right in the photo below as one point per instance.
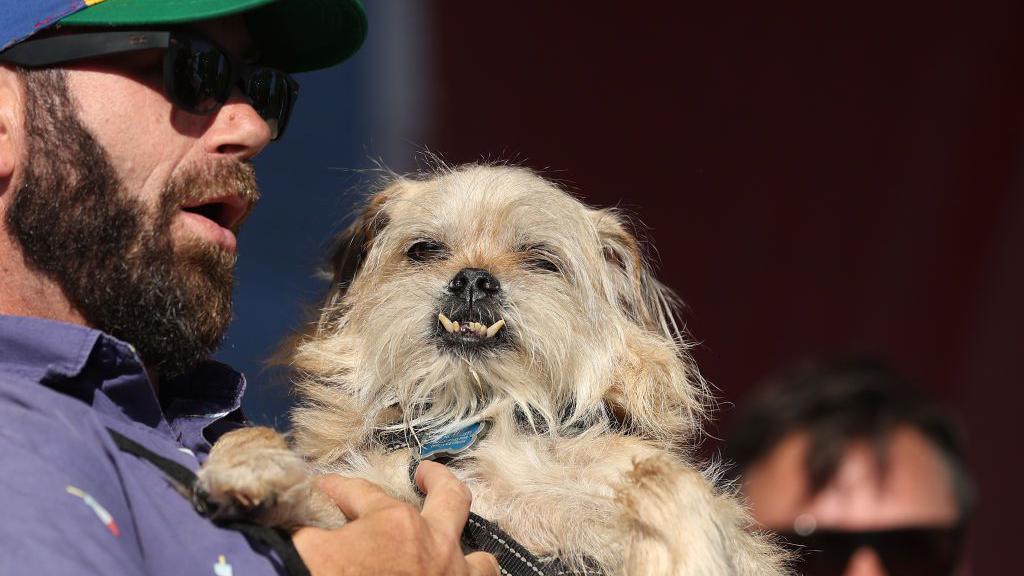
(857, 470)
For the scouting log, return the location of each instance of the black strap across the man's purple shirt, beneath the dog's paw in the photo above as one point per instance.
(185, 482)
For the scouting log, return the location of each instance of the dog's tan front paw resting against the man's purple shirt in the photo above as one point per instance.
(253, 475)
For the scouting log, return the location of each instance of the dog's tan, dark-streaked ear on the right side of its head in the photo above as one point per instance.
(633, 287)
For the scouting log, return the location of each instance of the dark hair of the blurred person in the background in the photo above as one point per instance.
(839, 403)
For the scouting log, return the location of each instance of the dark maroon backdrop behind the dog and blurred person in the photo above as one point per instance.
(817, 181)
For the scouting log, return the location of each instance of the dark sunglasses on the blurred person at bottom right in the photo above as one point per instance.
(912, 552)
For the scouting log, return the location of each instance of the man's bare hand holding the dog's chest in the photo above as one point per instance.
(386, 537)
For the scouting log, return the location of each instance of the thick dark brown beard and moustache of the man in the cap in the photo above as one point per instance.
(113, 257)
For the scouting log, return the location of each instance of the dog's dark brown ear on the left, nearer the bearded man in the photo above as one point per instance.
(353, 245)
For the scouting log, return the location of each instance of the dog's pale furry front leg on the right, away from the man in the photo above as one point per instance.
(677, 523)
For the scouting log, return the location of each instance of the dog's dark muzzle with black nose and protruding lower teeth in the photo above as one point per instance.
(471, 311)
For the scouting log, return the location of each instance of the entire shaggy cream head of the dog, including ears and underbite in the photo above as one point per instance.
(580, 331)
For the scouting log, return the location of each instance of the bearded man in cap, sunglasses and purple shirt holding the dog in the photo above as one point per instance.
(126, 134)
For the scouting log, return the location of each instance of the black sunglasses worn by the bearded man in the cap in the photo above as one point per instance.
(199, 76)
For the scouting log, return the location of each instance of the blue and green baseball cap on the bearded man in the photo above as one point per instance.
(292, 35)
